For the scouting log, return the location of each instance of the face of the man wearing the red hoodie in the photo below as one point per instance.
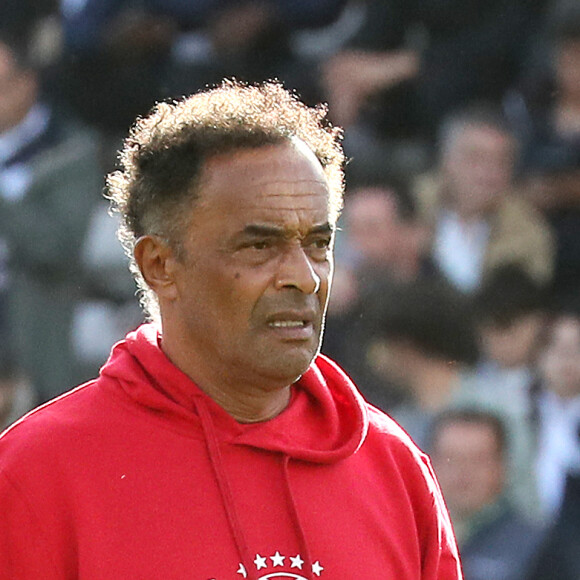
(252, 285)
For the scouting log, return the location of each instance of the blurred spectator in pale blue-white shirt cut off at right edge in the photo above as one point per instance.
(558, 409)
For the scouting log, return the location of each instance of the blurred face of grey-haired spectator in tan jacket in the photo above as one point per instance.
(478, 168)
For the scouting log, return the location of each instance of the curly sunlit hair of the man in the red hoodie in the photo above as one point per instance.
(164, 153)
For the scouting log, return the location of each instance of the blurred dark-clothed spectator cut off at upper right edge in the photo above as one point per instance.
(548, 115)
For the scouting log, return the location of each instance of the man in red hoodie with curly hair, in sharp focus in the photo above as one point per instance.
(216, 443)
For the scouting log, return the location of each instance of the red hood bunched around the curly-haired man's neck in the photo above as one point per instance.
(325, 421)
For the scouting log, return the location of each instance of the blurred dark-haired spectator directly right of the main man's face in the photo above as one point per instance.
(379, 248)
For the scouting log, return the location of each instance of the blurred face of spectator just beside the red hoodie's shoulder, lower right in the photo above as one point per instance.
(469, 466)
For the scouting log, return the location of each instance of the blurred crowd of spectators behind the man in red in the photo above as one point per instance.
(456, 299)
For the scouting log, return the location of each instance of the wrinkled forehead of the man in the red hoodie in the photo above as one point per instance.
(279, 183)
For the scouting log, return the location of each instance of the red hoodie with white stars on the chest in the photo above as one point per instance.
(139, 475)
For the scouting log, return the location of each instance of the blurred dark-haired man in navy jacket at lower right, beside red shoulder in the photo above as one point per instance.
(469, 450)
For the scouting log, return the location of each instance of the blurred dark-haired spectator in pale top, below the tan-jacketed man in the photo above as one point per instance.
(510, 312)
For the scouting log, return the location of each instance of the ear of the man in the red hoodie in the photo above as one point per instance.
(156, 261)
